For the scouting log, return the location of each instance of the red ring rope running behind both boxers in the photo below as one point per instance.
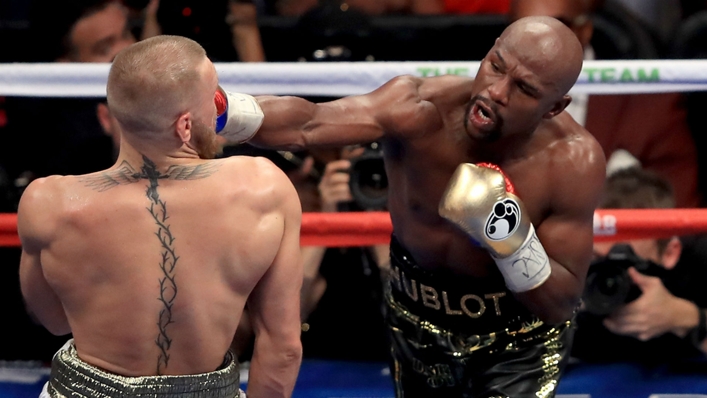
(365, 229)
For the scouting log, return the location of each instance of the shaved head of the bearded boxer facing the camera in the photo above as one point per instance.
(524, 78)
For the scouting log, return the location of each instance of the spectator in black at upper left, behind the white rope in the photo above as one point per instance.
(64, 136)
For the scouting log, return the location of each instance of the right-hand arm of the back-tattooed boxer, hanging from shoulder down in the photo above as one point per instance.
(274, 309)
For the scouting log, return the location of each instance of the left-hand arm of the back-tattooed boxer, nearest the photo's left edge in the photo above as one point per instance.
(41, 301)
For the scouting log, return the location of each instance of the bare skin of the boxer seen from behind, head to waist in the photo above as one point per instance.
(149, 264)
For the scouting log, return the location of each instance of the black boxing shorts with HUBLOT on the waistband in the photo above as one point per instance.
(457, 336)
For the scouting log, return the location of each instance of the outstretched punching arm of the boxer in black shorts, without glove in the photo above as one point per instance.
(294, 123)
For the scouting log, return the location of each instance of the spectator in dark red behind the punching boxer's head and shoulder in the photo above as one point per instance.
(660, 139)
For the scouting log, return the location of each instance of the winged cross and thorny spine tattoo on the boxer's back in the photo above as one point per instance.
(127, 174)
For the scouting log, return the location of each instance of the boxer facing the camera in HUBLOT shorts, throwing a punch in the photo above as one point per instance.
(492, 190)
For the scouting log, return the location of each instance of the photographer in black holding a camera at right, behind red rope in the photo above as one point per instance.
(665, 320)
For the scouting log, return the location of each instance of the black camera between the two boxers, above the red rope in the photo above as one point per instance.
(369, 181)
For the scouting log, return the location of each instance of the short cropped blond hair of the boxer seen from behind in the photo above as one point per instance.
(150, 82)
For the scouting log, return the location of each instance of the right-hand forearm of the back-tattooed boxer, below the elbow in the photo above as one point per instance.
(274, 367)
